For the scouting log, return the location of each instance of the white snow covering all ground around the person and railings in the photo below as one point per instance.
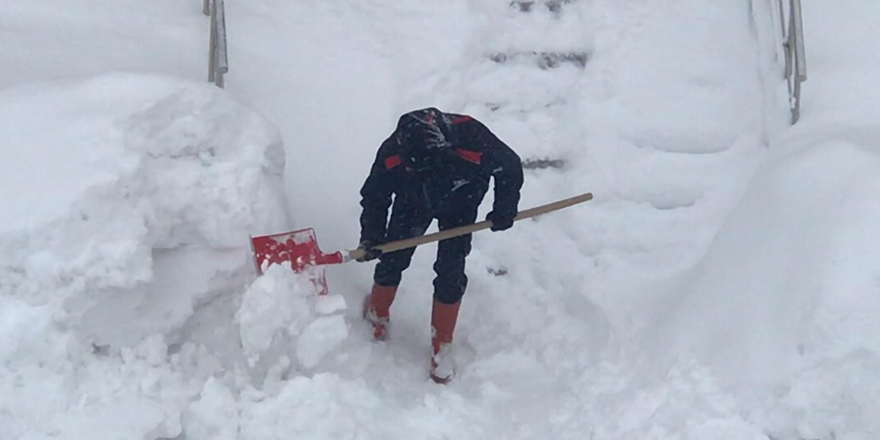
(722, 284)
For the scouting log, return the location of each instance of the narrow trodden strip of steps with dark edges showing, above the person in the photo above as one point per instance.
(533, 51)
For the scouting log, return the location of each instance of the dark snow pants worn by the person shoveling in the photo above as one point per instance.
(407, 222)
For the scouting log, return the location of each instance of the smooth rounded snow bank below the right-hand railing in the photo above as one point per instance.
(789, 293)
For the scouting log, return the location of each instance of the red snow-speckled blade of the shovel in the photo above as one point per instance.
(297, 248)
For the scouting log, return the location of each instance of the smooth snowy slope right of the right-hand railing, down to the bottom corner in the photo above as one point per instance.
(789, 293)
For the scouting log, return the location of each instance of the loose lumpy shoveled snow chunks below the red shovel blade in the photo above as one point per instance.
(52, 386)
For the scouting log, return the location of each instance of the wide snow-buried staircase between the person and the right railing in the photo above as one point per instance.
(564, 82)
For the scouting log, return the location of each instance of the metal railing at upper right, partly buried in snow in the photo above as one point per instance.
(795, 55)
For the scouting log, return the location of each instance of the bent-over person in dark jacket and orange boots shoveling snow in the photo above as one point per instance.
(437, 166)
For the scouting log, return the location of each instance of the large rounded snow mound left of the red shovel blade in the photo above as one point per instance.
(162, 181)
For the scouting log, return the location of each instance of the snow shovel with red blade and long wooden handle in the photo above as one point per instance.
(300, 248)
